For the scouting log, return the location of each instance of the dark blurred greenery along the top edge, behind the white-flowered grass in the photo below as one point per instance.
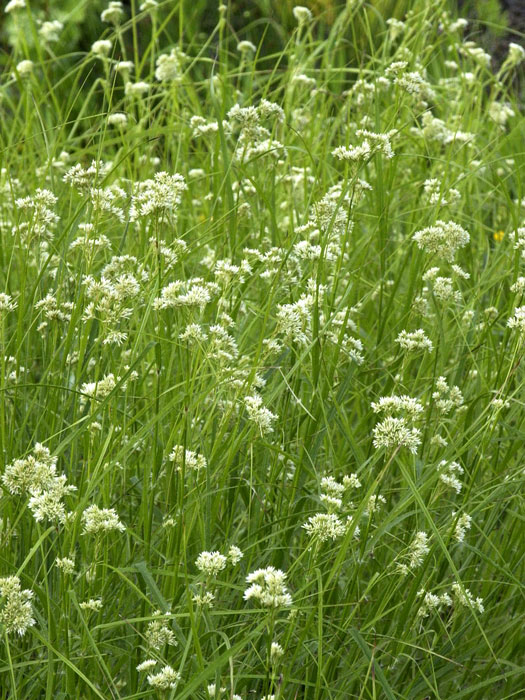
(264, 22)
